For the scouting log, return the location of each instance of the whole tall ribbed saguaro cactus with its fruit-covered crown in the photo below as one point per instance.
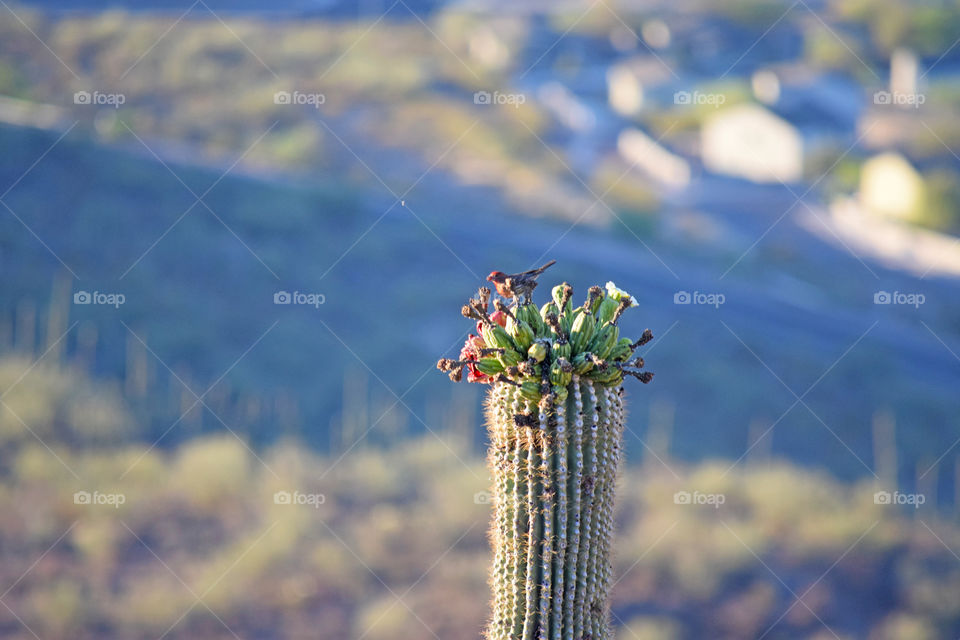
(555, 417)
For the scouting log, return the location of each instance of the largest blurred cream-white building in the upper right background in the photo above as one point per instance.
(750, 141)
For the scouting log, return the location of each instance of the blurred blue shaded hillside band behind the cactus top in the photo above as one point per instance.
(199, 311)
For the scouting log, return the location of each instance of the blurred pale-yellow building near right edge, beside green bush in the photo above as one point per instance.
(890, 186)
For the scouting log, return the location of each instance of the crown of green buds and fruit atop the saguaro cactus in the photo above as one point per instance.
(540, 349)
